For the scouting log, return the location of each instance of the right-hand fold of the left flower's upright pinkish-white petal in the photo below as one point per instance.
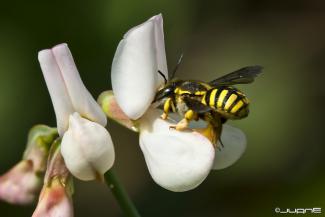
(80, 97)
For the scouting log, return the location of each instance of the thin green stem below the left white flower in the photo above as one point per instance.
(120, 194)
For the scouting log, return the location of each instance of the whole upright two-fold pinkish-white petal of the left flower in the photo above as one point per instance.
(67, 91)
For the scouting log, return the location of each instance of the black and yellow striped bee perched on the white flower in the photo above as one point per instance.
(215, 101)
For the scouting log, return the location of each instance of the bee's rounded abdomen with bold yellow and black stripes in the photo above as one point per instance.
(227, 101)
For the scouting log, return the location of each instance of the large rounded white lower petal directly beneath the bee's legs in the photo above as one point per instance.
(177, 161)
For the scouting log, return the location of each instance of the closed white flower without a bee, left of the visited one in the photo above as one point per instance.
(77, 113)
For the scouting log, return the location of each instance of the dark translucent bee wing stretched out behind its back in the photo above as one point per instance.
(244, 75)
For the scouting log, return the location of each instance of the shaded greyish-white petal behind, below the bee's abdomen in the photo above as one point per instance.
(234, 141)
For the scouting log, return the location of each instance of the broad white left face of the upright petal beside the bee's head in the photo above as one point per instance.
(135, 70)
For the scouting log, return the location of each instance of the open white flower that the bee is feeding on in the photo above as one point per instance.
(177, 161)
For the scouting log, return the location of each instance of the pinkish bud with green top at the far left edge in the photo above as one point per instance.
(22, 183)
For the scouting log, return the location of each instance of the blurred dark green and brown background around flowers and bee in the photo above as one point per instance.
(284, 163)
